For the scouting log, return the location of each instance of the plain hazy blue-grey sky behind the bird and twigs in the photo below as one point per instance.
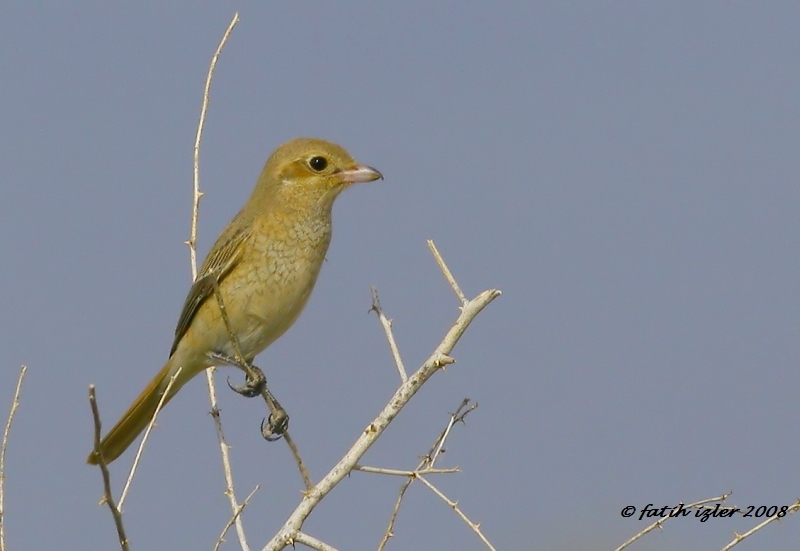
(626, 173)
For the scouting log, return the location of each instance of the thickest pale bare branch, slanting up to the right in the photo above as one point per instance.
(401, 397)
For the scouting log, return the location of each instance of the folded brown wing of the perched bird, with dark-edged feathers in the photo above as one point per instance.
(223, 257)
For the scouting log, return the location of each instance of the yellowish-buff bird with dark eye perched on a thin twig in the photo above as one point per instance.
(265, 263)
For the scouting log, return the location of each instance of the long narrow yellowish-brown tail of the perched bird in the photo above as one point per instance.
(139, 414)
